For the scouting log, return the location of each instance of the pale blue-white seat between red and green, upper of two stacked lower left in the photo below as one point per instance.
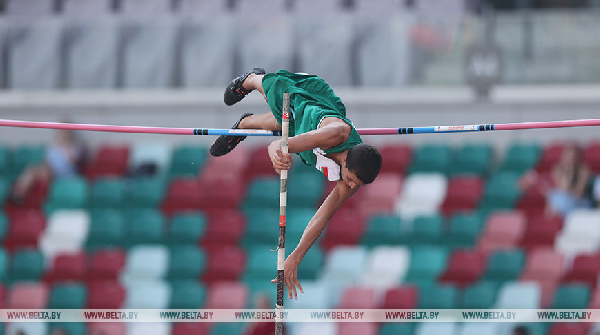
(146, 262)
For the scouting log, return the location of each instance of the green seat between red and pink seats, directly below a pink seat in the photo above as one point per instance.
(504, 266)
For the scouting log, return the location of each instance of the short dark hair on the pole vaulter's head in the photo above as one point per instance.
(365, 161)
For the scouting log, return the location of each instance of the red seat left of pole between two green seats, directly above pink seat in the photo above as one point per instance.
(225, 263)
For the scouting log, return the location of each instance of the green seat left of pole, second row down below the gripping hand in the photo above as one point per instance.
(262, 227)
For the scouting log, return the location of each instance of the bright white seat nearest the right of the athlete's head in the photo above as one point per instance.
(422, 194)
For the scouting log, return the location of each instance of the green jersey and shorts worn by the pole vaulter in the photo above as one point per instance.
(311, 100)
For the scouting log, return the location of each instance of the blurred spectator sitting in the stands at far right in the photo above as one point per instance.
(565, 189)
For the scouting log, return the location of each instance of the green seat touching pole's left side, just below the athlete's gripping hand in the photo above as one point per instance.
(263, 192)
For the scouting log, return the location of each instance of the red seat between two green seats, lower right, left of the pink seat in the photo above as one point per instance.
(464, 268)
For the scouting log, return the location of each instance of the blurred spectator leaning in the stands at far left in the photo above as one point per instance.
(64, 158)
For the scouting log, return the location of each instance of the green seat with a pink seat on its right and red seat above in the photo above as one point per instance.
(463, 230)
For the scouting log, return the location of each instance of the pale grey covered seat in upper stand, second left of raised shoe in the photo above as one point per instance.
(149, 54)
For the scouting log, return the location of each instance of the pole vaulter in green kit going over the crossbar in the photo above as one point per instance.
(320, 134)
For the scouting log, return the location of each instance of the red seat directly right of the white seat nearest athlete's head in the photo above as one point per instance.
(464, 193)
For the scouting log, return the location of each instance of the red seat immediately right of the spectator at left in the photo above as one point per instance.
(109, 160)
